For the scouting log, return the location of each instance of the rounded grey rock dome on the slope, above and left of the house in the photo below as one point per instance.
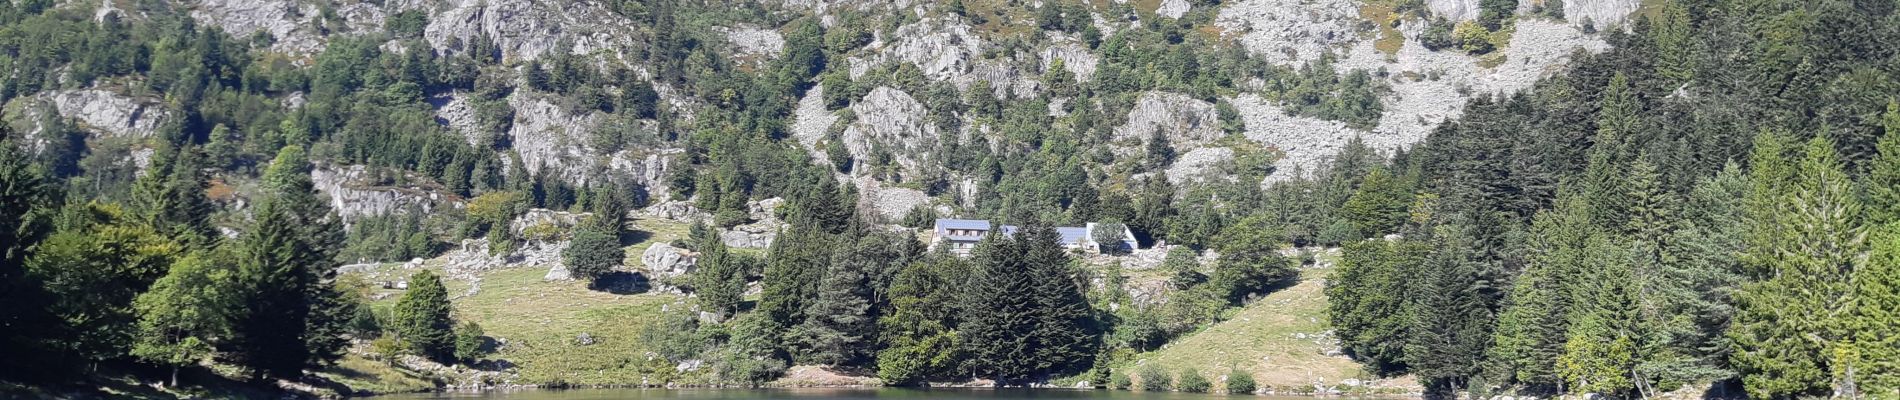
(890, 120)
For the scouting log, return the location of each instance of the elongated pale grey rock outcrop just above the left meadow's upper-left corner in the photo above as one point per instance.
(354, 194)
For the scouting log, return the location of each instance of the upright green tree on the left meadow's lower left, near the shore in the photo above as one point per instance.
(423, 318)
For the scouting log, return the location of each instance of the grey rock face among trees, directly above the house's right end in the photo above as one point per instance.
(1185, 120)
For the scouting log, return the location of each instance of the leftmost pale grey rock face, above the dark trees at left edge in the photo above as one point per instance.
(109, 113)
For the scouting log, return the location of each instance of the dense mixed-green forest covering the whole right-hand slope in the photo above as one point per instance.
(1658, 217)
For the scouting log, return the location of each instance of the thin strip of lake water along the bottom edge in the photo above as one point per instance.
(822, 395)
